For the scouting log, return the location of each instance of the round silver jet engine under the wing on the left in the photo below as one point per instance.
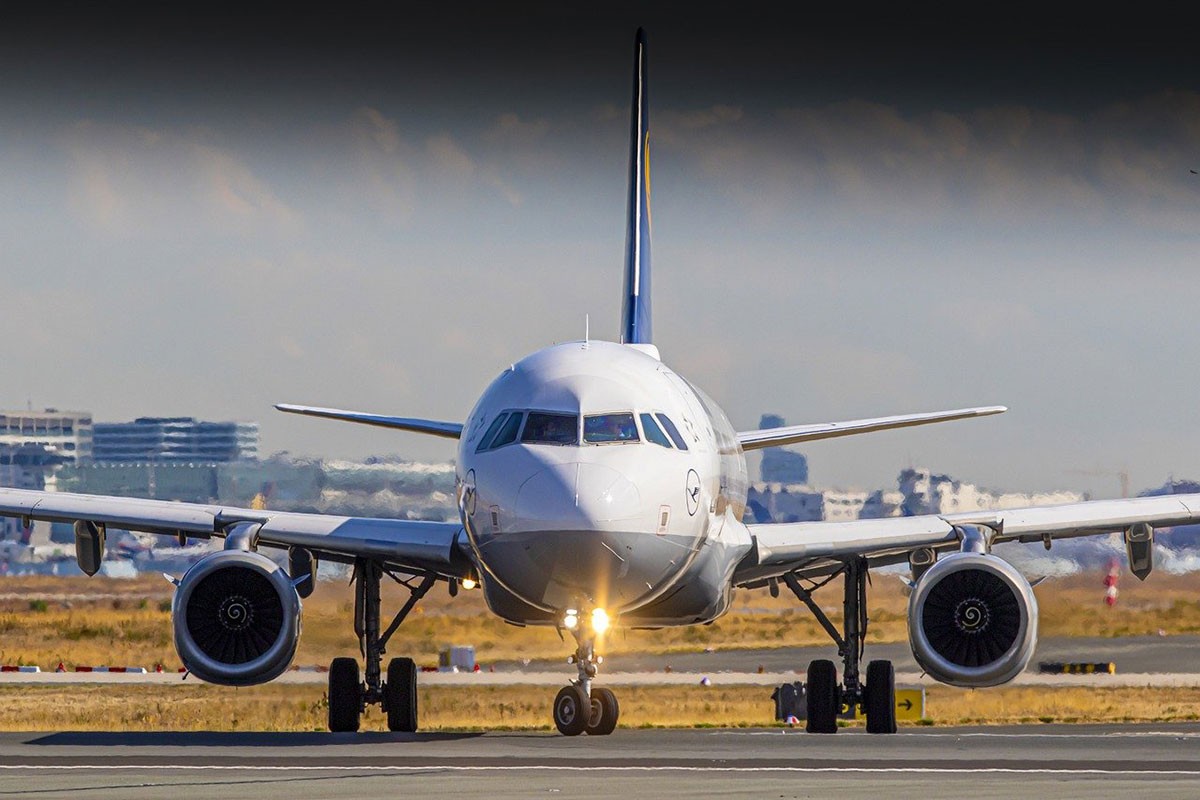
(237, 619)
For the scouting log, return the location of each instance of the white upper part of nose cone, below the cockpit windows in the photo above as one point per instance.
(577, 496)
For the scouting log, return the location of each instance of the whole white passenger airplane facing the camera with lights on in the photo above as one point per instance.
(597, 488)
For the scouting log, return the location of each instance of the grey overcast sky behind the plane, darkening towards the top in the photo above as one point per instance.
(207, 215)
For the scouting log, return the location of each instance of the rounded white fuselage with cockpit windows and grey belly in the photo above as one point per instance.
(593, 477)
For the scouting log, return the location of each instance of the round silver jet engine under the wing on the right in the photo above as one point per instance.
(973, 621)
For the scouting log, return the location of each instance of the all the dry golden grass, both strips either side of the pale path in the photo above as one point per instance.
(128, 623)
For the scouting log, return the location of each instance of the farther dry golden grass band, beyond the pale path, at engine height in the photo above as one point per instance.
(81, 621)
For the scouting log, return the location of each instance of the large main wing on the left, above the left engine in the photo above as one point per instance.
(404, 544)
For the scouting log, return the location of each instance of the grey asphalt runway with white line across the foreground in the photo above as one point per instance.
(1154, 761)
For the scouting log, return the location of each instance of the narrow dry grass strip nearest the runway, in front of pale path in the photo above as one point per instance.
(303, 707)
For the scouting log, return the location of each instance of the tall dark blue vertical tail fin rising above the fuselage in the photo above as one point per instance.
(635, 316)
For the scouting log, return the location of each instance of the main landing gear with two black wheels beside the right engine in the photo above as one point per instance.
(826, 699)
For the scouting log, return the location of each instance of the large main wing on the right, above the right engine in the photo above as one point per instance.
(787, 548)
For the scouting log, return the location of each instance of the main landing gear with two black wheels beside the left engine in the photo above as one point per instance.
(350, 695)
